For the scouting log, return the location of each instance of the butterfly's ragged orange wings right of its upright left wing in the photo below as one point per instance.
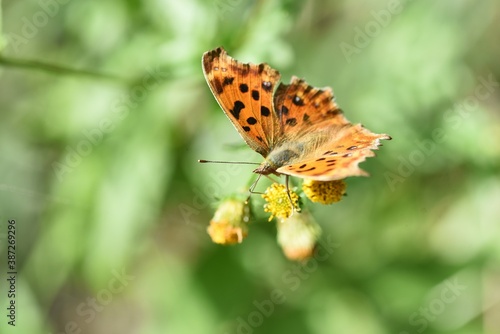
(332, 147)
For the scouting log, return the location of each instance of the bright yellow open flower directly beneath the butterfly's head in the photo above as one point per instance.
(279, 203)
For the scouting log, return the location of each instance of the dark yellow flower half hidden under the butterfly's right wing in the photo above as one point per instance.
(324, 192)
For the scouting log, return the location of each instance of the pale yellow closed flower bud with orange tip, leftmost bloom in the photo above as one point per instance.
(229, 224)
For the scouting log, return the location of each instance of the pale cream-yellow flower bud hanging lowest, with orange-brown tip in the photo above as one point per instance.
(297, 236)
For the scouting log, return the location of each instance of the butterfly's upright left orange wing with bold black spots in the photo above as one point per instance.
(245, 93)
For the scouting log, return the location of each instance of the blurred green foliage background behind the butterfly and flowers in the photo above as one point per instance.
(105, 111)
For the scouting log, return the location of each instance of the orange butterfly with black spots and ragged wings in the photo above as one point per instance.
(297, 128)
